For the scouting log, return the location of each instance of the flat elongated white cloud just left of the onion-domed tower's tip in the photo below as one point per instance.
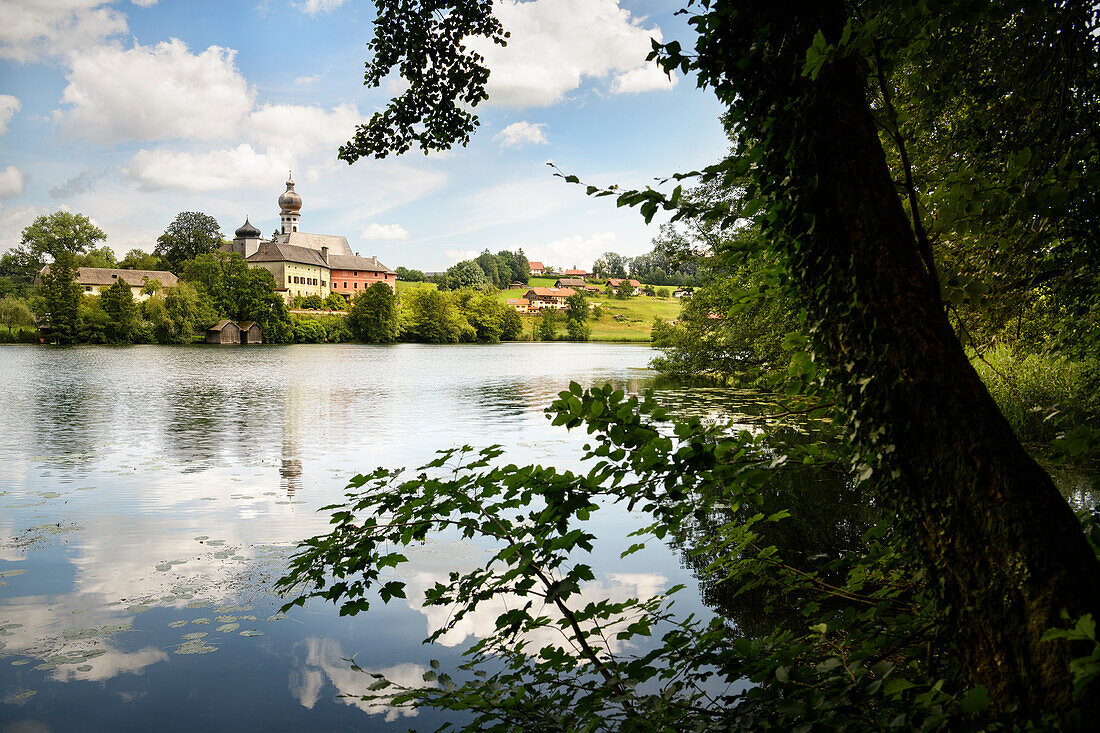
(234, 168)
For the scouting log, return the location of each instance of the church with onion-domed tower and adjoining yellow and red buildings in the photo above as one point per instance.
(304, 264)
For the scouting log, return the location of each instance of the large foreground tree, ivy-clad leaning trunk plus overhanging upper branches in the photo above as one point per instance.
(797, 81)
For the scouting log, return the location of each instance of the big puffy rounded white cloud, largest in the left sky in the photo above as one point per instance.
(155, 93)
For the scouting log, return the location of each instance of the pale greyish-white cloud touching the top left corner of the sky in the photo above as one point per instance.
(49, 30)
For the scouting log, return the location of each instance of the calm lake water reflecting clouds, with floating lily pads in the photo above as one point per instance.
(151, 495)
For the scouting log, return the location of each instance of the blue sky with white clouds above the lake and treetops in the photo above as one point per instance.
(134, 112)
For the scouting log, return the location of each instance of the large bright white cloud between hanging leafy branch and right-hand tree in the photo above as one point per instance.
(556, 45)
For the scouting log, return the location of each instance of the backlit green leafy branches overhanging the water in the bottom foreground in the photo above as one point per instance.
(848, 662)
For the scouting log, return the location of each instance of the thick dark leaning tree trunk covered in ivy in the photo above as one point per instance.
(1002, 544)
